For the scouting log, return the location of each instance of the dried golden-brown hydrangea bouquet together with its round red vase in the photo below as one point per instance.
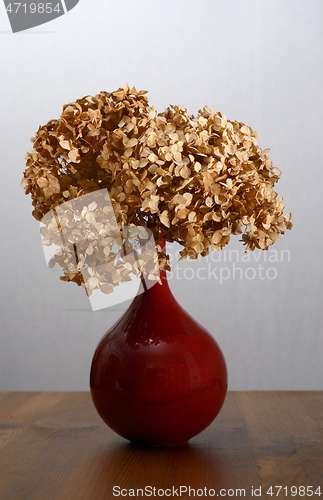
(195, 180)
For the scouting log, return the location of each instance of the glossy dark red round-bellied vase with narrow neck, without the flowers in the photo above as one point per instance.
(157, 376)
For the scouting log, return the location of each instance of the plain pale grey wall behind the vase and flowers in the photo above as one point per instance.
(258, 61)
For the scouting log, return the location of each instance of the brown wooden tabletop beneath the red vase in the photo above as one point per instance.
(54, 446)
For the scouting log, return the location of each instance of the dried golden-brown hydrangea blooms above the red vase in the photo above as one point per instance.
(191, 179)
